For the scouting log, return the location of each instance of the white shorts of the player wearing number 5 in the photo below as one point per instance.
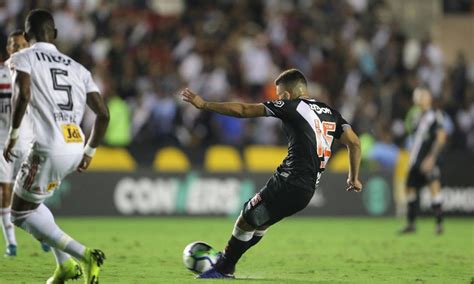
(42, 173)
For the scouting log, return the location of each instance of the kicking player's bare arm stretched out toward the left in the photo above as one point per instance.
(241, 110)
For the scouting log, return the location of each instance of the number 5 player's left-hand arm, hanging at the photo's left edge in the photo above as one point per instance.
(22, 84)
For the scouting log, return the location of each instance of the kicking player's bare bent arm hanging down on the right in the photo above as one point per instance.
(350, 139)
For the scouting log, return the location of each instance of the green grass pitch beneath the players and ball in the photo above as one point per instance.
(298, 250)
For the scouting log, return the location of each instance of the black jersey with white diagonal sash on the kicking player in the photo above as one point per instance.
(310, 127)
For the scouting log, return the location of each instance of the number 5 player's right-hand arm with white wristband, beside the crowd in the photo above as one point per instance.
(98, 106)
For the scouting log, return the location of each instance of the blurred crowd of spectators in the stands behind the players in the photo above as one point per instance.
(353, 52)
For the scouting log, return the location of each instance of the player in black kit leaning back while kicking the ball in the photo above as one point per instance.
(311, 128)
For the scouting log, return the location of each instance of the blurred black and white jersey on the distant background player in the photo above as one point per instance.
(426, 127)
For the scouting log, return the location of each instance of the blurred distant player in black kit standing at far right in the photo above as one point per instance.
(428, 141)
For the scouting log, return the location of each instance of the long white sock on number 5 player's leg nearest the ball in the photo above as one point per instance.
(40, 223)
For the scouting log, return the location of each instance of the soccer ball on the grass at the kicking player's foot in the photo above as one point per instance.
(199, 257)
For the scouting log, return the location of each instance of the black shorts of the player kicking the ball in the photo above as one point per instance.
(275, 201)
